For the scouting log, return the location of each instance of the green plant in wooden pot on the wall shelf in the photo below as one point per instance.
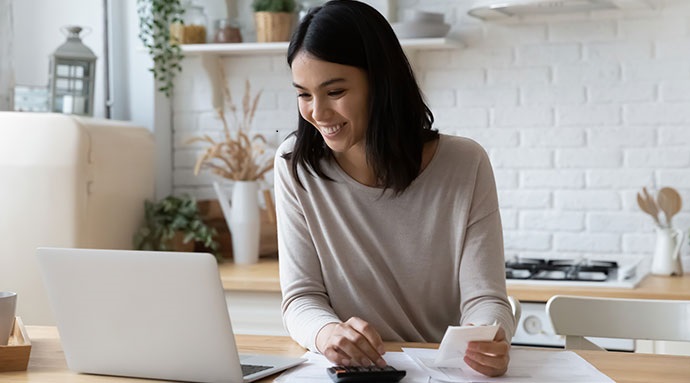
(273, 19)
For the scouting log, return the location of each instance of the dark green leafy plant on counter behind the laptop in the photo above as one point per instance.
(165, 218)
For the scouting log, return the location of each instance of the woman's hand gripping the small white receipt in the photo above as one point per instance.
(489, 358)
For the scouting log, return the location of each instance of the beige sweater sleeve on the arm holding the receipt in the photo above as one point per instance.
(482, 270)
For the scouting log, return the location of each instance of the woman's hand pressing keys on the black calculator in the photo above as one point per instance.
(352, 343)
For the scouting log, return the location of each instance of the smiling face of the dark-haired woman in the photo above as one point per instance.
(333, 98)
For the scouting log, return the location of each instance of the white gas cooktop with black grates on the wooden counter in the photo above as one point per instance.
(574, 272)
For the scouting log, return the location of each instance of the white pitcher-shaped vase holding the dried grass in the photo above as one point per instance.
(243, 219)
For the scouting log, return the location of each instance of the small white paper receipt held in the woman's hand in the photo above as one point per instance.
(454, 343)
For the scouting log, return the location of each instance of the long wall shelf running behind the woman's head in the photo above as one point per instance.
(238, 49)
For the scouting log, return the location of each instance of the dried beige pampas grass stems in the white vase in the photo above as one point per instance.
(239, 157)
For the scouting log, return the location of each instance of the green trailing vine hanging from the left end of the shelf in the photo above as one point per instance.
(155, 17)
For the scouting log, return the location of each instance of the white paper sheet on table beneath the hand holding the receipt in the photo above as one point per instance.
(526, 366)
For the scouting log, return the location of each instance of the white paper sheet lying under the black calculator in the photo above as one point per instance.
(314, 369)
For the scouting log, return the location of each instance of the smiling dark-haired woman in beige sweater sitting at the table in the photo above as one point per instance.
(387, 230)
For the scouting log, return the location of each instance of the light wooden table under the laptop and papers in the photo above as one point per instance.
(47, 363)
